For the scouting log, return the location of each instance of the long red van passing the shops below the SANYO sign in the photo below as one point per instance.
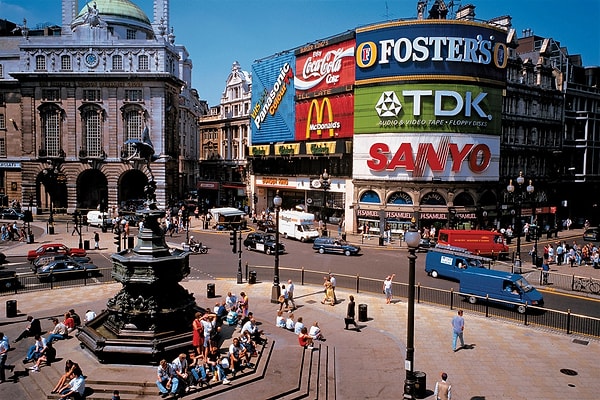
(485, 243)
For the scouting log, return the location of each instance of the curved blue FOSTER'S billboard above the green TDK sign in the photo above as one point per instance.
(443, 48)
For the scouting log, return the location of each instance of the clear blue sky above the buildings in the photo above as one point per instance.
(218, 32)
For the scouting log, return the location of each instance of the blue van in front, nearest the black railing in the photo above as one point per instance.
(499, 285)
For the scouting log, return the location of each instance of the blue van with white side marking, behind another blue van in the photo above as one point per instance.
(450, 262)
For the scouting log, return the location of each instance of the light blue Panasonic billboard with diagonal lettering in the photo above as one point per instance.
(272, 115)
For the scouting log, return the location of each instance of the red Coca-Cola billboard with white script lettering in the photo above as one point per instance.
(323, 67)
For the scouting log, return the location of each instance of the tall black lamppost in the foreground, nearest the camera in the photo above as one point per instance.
(412, 238)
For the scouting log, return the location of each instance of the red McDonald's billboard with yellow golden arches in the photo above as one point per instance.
(328, 117)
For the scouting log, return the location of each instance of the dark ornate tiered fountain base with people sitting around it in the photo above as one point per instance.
(151, 316)
